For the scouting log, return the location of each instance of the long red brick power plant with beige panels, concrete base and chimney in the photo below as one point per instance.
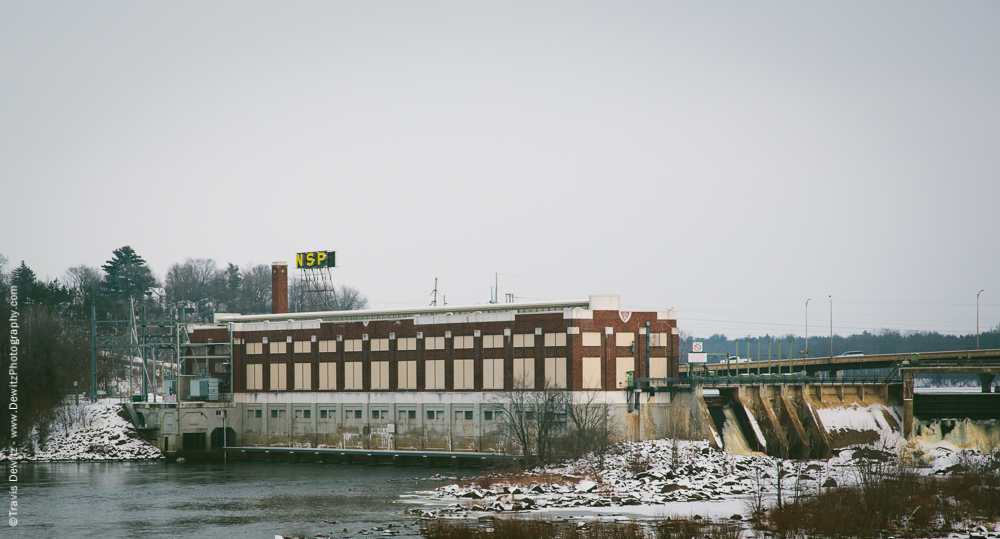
(429, 378)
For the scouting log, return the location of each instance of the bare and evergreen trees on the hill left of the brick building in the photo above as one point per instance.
(55, 319)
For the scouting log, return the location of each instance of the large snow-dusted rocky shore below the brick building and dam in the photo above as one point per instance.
(696, 474)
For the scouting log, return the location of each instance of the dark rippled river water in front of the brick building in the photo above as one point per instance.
(239, 500)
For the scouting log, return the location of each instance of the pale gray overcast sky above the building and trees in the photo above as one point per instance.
(730, 160)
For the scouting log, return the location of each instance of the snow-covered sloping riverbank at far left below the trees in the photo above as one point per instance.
(102, 435)
